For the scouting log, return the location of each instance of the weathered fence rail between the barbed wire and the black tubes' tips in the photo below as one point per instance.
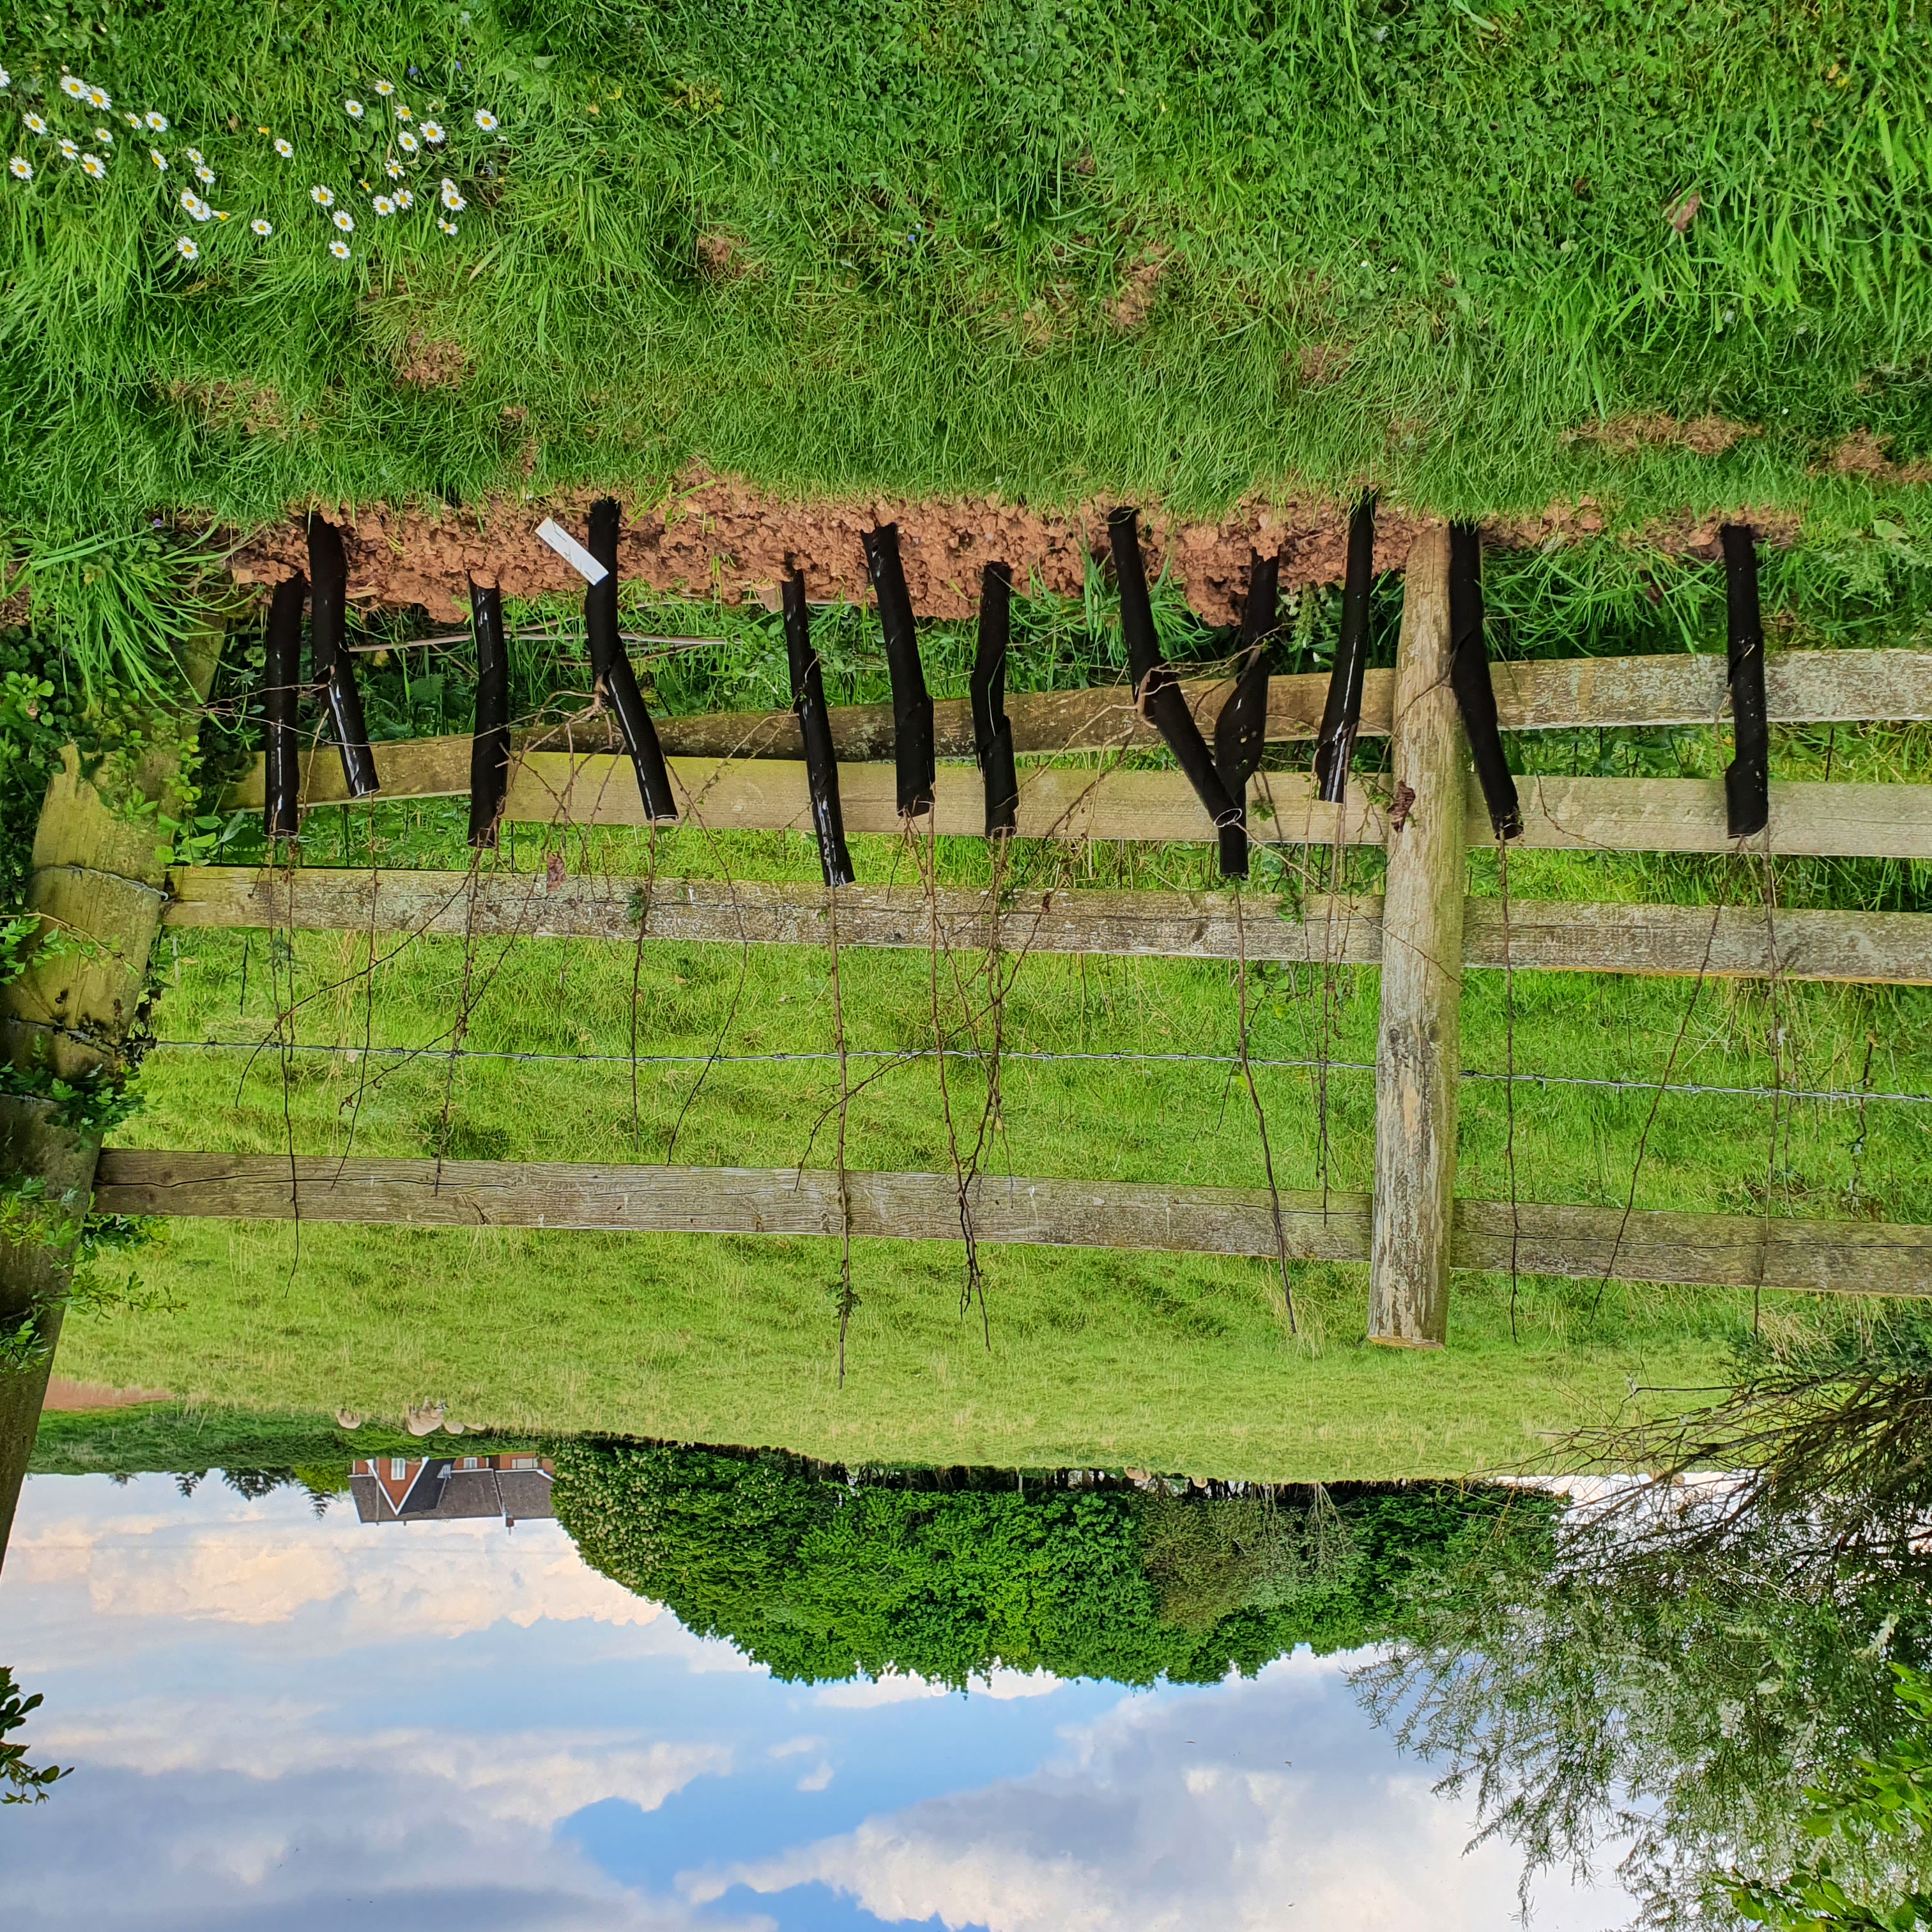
(1556, 936)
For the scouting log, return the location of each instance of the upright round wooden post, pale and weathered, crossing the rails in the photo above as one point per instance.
(1417, 1052)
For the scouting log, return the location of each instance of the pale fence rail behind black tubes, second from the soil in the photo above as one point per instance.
(1158, 807)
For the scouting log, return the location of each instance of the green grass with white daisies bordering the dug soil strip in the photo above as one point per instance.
(1174, 252)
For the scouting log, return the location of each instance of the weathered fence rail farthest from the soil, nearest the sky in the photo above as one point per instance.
(1821, 1257)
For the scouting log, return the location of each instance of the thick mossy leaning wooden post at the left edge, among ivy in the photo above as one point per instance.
(98, 878)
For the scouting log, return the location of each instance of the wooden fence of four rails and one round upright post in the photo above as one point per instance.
(743, 774)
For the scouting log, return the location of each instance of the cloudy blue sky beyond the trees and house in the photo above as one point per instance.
(285, 1724)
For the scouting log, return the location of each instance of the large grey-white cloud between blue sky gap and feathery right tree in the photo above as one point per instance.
(1185, 1811)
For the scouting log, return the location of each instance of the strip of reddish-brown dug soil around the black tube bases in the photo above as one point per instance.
(720, 538)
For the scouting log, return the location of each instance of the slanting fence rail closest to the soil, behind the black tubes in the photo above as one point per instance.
(1802, 687)
